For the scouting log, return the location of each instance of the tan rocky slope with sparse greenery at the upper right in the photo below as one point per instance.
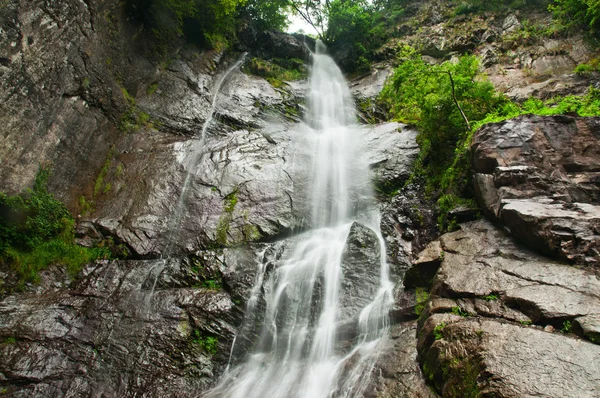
(518, 50)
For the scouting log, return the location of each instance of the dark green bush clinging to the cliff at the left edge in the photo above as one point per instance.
(37, 230)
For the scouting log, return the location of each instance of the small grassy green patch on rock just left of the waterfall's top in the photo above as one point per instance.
(277, 70)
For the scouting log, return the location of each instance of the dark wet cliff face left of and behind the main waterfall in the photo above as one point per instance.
(170, 159)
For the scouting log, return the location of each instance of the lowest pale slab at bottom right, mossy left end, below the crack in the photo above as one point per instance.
(474, 356)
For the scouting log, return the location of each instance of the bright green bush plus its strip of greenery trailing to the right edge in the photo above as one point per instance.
(433, 96)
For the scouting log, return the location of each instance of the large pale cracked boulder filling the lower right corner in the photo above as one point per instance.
(491, 325)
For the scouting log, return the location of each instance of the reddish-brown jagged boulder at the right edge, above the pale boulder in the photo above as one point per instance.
(539, 176)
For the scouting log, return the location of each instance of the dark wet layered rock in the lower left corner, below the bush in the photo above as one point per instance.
(155, 328)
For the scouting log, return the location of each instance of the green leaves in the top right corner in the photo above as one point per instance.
(577, 14)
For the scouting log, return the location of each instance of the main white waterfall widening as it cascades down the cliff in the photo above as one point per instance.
(298, 353)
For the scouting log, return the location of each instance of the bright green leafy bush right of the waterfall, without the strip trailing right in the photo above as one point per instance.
(442, 100)
